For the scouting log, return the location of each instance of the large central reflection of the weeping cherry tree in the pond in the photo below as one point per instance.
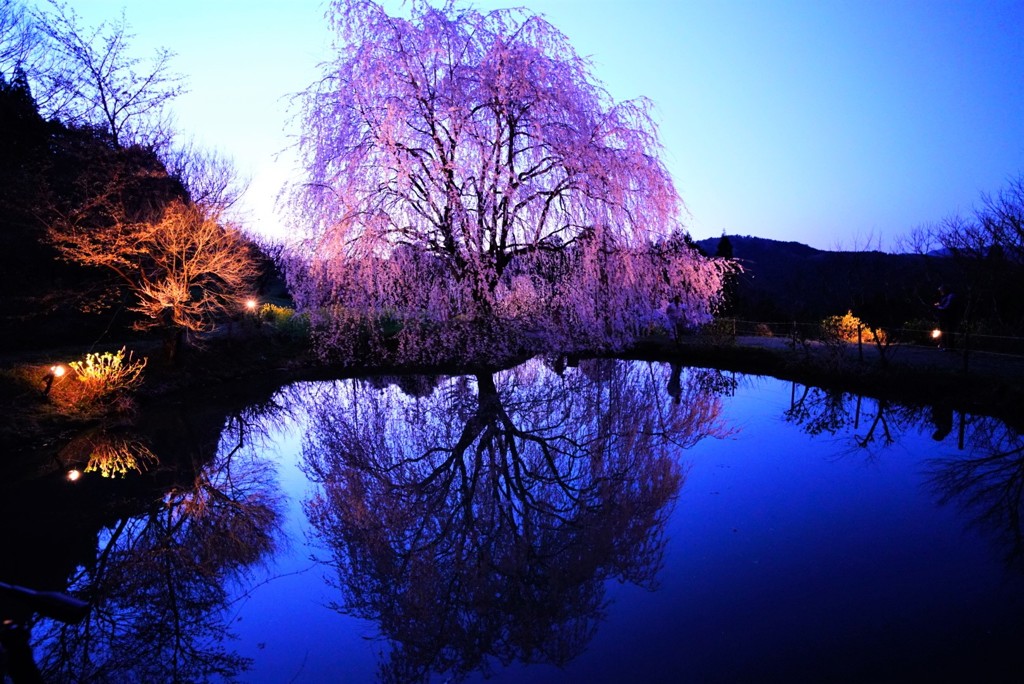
(480, 524)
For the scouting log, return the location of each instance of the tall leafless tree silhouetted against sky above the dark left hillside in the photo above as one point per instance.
(101, 83)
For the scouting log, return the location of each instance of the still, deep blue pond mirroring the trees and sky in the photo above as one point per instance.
(596, 522)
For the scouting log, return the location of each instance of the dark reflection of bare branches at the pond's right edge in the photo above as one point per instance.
(989, 482)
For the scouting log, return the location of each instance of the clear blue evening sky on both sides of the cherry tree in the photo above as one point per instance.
(837, 124)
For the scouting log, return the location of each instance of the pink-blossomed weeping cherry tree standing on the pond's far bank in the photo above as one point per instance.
(468, 179)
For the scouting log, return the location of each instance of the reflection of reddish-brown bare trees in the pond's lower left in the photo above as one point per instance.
(157, 584)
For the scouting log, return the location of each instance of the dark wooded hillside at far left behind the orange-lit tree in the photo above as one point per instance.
(62, 189)
